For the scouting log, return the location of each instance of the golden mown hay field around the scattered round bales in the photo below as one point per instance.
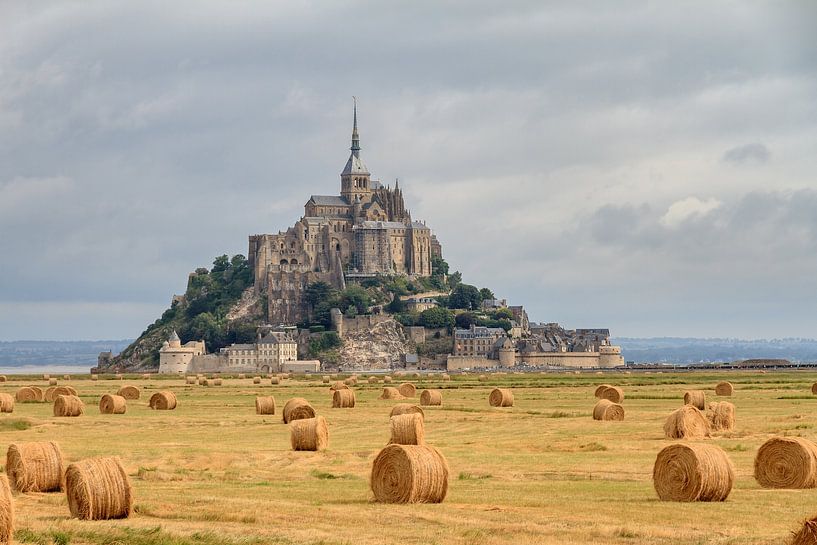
(542, 471)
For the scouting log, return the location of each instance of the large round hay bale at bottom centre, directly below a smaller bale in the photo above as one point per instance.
(409, 474)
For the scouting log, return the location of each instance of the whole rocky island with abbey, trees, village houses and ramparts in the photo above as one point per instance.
(356, 283)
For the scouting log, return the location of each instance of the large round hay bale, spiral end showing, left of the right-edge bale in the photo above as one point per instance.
(693, 472)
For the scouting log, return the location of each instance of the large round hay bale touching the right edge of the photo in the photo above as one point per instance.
(786, 462)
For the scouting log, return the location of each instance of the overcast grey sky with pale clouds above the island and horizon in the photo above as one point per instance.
(650, 167)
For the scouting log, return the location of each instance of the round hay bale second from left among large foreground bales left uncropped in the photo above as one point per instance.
(98, 489)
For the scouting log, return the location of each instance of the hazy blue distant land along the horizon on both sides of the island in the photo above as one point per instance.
(677, 350)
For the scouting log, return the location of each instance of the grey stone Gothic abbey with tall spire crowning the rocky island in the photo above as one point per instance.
(363, 232)
